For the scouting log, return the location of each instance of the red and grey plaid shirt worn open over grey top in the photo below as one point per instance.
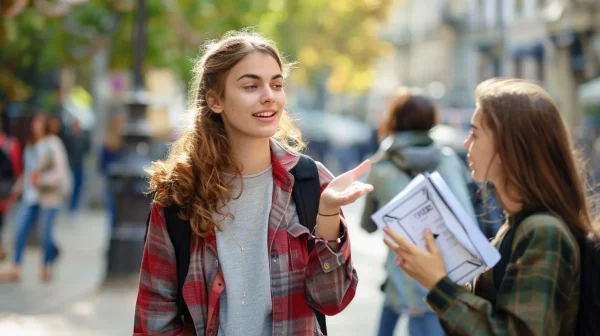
(325, 280)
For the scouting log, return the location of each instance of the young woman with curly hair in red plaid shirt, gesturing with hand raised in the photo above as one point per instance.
(250, 271)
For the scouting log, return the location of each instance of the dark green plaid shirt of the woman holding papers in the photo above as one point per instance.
(539, 294)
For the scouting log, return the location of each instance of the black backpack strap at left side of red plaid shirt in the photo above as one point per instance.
(180, 234)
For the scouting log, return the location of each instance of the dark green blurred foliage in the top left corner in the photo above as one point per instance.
(39, 36)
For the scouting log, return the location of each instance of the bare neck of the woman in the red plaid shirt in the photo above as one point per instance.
(253, 156)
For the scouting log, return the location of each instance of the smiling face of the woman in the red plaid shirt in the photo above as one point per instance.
(254, 98)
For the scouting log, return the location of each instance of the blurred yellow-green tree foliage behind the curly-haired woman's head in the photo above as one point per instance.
(338, 39)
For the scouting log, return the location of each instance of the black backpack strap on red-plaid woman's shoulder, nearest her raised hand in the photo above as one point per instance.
(307, 194)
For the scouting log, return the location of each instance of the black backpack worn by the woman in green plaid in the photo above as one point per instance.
(587, 323)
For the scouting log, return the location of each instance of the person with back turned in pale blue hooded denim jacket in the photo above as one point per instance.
(407, 150)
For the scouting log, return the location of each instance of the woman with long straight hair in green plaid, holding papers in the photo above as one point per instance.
(519, 142)
